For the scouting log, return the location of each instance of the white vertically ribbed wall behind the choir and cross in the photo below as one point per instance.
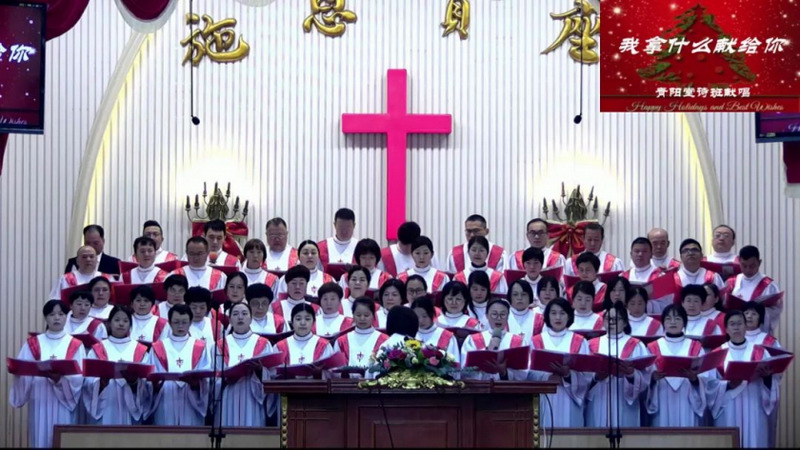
(271, 126)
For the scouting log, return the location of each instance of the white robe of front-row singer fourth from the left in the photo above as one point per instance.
(243, 403)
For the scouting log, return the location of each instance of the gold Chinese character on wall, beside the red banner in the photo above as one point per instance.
(578, 28)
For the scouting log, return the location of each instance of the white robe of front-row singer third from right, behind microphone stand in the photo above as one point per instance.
(626, 391)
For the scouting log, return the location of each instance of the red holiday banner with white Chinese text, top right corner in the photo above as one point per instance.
(700, 56)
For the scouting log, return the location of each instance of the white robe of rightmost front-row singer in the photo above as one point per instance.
(749, 405)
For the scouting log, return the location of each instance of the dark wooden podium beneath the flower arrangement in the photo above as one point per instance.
(337, 413)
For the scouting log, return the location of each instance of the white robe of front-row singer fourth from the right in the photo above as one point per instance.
(568, 401)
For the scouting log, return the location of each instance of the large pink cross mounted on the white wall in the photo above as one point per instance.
(396, 124)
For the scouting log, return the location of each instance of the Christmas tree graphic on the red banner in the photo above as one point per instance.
(713, 70)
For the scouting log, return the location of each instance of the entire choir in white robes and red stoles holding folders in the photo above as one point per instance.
(193, 320)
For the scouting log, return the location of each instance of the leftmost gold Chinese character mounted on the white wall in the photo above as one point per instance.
(215, 41)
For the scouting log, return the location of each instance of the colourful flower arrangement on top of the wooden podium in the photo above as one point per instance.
(411, 355)
